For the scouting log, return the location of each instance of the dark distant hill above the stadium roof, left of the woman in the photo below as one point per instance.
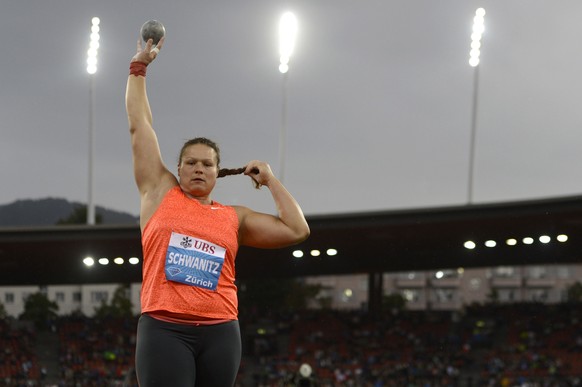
(46, 212)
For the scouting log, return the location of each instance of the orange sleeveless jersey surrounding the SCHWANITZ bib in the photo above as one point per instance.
(216, 224)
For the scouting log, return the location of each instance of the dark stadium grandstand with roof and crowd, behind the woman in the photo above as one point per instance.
(487, 298)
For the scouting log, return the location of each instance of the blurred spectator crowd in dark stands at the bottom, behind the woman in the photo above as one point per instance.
(486, 345)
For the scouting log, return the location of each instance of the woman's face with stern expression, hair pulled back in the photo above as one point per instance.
(198, 170)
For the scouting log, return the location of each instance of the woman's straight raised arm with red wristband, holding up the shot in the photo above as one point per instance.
(151, 175)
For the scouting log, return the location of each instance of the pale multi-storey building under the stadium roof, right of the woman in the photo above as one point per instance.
(452, 289)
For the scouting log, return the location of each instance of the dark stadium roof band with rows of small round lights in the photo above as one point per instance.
(379, 241)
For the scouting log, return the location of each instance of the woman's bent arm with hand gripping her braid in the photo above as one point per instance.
(261, 230)
